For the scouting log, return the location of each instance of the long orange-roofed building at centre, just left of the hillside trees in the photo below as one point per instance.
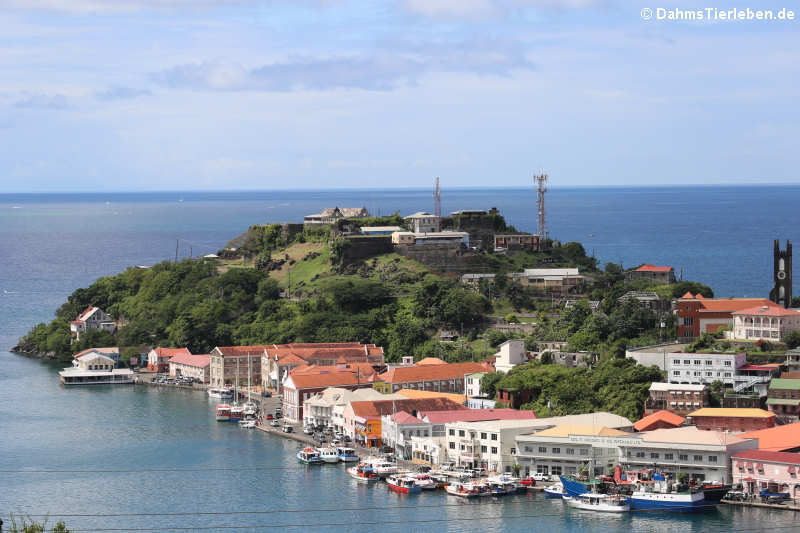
(437, 378)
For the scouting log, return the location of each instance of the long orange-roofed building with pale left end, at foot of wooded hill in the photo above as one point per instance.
(279, 359)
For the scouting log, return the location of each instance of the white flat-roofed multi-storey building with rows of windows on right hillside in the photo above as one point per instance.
(704, 367)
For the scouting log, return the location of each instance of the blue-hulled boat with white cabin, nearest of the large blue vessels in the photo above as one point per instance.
(662, 495)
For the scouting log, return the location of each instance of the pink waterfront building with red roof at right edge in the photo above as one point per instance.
(758, 470)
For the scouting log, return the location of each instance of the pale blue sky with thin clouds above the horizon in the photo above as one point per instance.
(290, 94)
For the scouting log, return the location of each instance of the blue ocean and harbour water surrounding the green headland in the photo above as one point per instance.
(171, 453)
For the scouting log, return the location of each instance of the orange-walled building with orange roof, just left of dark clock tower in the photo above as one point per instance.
(697, 314)
